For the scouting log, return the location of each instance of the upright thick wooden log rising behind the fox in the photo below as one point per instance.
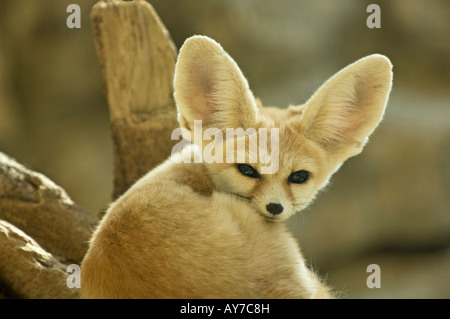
(137, 58)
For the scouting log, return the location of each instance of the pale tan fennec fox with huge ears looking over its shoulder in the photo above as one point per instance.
(213, 229)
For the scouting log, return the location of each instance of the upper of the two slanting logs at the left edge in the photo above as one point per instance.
(44, 211)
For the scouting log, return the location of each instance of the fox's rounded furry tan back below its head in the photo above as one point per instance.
(164, 240)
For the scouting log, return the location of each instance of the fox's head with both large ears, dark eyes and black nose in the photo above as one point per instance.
(313, 139)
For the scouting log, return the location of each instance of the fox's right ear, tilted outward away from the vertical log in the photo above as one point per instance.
(342, 114)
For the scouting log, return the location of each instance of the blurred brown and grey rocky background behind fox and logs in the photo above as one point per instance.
(389, 206)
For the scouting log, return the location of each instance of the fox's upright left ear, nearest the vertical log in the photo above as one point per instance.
(209, 86)
